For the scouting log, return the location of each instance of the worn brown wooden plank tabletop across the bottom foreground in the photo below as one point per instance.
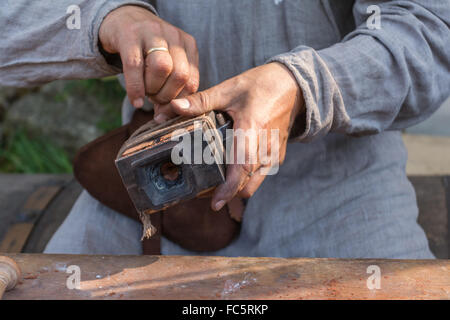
(187, 277)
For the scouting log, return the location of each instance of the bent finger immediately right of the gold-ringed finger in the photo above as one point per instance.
(177, 78)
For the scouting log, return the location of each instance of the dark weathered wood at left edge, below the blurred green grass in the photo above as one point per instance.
(32, 207)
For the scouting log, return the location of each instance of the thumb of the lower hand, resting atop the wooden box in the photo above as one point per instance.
(201, 102)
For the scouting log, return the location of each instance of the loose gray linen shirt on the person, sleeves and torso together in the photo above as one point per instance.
(356, 81)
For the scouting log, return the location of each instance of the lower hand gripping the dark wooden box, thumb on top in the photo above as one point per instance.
(267, 97)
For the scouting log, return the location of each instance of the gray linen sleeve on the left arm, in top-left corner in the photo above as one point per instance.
(37, 46)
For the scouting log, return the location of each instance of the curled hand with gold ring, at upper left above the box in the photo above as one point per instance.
(131, 31)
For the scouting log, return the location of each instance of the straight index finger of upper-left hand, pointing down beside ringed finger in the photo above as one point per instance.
(133, 70)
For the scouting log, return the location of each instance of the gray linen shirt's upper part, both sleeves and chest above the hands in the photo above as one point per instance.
(362, 82)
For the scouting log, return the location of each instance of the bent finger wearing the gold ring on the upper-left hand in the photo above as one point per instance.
(158, 67)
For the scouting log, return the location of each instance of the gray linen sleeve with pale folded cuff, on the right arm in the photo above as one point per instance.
(377, 79)
